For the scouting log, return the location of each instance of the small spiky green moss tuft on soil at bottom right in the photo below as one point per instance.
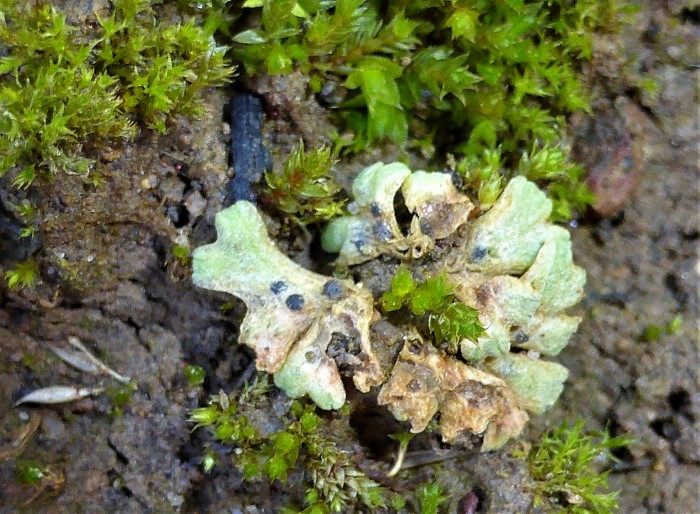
(566, 478)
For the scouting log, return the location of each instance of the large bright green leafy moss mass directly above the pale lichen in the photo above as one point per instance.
(502, 74)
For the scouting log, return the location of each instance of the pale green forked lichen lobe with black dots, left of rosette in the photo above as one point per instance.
(292, 312)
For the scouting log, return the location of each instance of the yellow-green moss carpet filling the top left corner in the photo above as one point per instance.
(63, 92)
